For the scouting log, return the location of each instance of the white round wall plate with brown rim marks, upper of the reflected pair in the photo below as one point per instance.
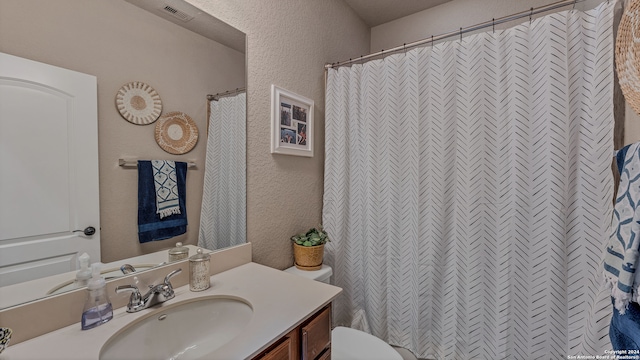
(138, 103)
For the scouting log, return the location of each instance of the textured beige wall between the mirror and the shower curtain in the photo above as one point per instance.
(288, 43)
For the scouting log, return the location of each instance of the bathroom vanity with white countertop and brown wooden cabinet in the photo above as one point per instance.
(289, 318)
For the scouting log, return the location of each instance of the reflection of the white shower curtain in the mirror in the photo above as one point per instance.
(223, 215)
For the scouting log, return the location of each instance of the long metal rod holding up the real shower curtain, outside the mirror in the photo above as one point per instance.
(486, 24)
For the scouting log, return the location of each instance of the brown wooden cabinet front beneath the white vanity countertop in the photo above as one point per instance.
(309, 341)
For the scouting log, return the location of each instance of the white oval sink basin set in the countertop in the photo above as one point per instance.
(190, 329)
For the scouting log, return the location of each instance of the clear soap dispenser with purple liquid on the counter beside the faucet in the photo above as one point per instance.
(97, 308)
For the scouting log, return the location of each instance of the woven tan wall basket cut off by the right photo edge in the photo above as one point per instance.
(628, 54)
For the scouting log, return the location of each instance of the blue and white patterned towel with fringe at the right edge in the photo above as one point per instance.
(621, 258)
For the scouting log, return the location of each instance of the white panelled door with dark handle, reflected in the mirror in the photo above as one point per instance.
(48, 169)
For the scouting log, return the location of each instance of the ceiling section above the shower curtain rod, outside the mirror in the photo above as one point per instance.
(376, 12)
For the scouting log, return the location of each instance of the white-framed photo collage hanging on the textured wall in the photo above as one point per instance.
(291, 123)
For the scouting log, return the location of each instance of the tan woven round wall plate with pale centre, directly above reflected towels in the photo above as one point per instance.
(176, 133)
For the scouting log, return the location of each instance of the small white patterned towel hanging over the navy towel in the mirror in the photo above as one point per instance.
(166, 184)
